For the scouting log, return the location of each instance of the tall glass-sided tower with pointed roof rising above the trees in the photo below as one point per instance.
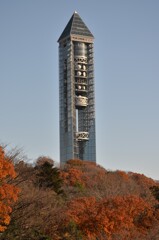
(76, 91)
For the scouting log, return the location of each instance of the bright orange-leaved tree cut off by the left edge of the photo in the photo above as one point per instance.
(8, 192)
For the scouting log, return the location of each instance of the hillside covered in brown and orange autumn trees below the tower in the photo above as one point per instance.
(82, 201)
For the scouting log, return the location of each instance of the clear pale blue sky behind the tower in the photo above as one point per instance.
(126, 78)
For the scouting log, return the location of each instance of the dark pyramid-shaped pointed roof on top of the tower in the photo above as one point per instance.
(75, 26)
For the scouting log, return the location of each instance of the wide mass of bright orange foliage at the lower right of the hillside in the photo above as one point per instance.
(109, 216)
